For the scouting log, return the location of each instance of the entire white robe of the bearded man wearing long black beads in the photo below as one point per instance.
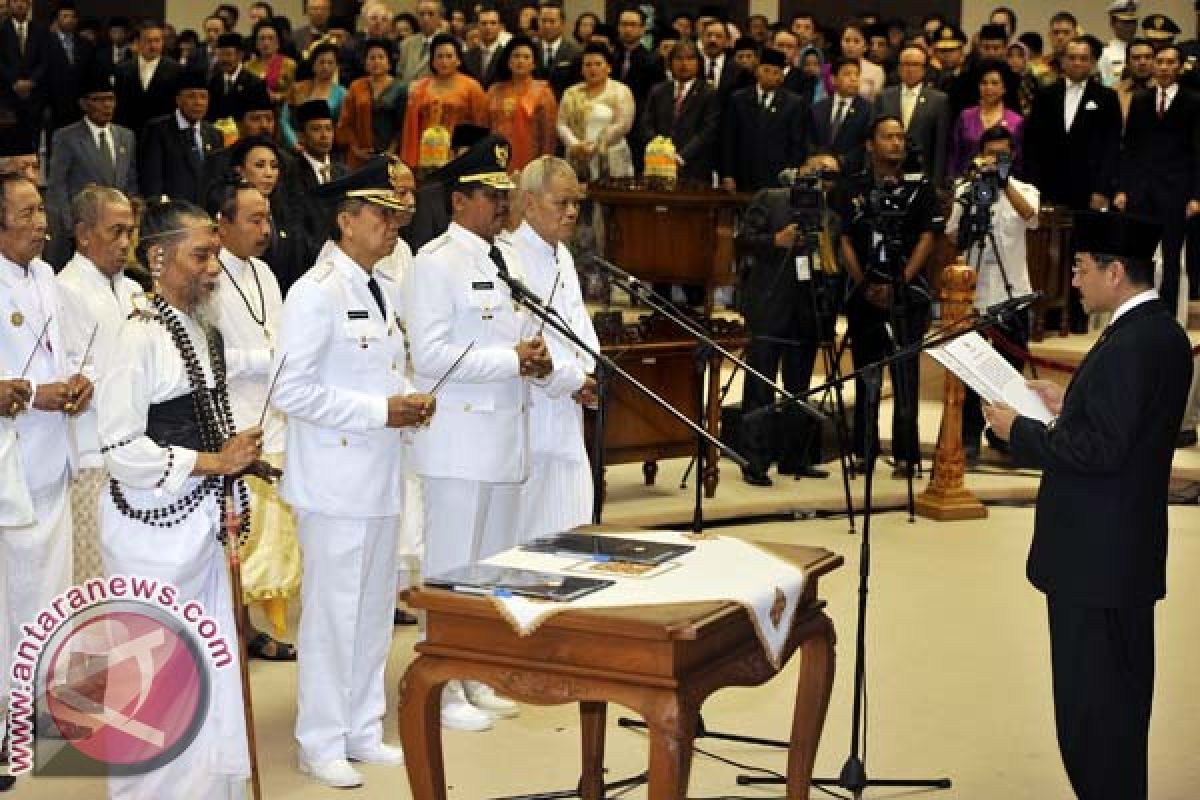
(188, 555)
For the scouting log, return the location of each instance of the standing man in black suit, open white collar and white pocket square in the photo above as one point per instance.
(1075, 161)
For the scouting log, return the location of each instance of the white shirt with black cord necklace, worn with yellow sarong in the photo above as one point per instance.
(245, 291)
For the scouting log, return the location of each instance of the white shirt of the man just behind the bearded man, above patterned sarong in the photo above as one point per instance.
(101, 305)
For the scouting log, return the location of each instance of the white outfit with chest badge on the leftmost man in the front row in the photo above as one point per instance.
(35, 557)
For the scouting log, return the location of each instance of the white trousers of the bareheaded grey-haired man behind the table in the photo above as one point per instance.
(556, 498)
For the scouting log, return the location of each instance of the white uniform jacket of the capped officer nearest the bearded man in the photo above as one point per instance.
(344, 362)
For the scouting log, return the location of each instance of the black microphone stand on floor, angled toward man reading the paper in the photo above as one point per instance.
(854, 773)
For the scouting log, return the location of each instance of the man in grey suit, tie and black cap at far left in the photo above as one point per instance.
(93, 151)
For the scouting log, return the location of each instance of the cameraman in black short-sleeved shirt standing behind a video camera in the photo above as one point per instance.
(890, 216)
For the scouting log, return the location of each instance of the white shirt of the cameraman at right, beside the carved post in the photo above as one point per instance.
(1010, 230)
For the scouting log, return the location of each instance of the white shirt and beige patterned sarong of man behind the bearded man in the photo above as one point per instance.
(101, 304)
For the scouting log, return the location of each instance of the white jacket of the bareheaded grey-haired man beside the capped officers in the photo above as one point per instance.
(556, 420)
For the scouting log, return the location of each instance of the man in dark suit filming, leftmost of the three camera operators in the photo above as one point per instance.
(781, 231)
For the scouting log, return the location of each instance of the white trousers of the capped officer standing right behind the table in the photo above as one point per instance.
(467, 521)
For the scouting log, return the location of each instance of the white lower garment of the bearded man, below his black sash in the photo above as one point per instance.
(217, 765)
